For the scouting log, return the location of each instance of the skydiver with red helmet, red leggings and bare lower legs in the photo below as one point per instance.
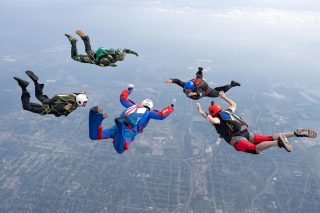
(235, 131)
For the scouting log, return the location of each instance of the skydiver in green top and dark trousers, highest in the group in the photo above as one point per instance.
(102, 57)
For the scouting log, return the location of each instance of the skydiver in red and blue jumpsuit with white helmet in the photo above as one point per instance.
(131, 122)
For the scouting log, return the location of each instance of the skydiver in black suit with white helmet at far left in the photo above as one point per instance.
(58, 105)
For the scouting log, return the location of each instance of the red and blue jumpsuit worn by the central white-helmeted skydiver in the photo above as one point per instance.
(123, 135)
